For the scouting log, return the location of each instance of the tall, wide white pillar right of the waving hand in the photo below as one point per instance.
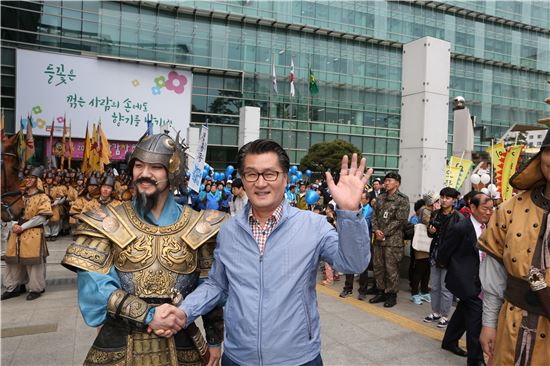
(424, 116)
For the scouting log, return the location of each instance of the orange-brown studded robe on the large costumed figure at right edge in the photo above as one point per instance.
(511, 237)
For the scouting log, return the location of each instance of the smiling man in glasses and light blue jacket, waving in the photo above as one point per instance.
(267, 258)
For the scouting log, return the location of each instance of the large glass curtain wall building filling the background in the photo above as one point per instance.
(500, 61)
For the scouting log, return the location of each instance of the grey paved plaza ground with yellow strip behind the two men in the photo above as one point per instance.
(50, 330)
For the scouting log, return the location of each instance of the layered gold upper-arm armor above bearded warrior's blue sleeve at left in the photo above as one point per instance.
(89, 254)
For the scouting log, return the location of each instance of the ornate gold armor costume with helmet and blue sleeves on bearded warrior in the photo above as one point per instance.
(128, 262)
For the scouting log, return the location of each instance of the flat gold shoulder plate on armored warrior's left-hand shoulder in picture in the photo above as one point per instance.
(107, 220)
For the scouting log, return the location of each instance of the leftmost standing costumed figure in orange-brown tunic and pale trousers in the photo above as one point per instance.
(27, 251)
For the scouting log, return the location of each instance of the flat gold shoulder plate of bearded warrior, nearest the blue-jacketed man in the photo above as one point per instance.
(206, 224)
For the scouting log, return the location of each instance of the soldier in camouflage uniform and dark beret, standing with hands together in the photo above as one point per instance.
(391, 212)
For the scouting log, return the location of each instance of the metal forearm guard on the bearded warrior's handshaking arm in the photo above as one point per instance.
(129, 308)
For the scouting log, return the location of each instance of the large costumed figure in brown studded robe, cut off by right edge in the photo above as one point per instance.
(516, 273)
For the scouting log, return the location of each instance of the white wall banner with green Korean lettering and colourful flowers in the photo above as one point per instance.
(121, 95)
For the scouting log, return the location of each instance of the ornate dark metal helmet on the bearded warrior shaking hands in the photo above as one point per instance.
(162, 149)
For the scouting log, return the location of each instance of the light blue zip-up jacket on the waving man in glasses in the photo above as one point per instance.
(271, 315)
